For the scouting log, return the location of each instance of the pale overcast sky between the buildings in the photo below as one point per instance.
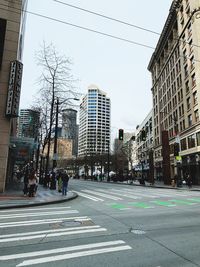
(118, 68)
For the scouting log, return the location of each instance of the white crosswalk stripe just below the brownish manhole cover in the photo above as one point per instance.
(49, 231)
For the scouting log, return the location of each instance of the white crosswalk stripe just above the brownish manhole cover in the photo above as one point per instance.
(44, 221)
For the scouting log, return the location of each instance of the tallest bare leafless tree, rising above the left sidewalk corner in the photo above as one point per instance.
(56, 82)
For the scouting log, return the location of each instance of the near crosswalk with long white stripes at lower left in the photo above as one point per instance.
(44, 225)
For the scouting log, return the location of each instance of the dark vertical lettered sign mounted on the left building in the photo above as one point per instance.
(14, 89)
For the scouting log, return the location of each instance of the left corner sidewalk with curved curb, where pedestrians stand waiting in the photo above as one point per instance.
(15, 198)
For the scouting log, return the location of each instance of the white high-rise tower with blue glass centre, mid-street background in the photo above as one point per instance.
(94, 127)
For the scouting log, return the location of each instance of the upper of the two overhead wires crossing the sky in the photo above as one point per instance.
(107, 17)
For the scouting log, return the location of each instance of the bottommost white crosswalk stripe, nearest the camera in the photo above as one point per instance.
(73, 255)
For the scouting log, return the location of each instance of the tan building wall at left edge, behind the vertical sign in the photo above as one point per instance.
(11, 45)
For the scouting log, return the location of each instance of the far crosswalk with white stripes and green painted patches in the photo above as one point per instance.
(116, 197)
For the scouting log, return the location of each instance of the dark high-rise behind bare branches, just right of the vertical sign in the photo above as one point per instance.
(29, 123)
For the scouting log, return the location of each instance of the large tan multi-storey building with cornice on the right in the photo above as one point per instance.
(175, 69)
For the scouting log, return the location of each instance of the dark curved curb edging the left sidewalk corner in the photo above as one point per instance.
(39, 203)
